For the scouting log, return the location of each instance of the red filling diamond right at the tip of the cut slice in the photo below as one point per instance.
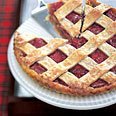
(78, 42)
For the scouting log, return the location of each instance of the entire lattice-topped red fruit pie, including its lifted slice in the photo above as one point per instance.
(84, 62)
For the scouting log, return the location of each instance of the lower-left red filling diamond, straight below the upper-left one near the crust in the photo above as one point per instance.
(38, 68)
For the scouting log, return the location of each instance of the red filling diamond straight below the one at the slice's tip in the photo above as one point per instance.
(78, 71)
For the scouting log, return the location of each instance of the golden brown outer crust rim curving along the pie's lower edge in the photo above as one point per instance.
(55, 86)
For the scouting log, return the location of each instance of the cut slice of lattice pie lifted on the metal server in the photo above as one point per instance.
(66, 15)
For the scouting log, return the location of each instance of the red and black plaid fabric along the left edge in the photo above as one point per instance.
(9, 12)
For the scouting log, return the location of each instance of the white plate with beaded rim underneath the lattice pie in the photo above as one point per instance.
(35, 26)
